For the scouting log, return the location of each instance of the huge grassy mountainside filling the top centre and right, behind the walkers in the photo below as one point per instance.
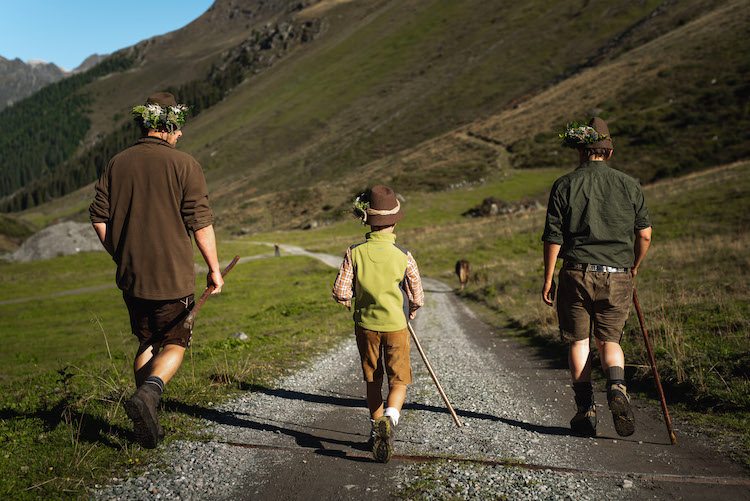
(428, 95)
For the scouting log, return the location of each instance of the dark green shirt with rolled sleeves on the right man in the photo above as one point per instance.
(593, 213)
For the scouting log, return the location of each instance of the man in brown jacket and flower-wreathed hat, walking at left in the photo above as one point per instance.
(148, 200)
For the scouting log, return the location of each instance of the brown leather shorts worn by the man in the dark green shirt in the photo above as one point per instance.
(593, 302)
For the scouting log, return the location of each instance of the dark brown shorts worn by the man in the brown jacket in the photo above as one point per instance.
(159, 323)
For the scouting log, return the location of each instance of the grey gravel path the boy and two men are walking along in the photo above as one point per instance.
(303, 439)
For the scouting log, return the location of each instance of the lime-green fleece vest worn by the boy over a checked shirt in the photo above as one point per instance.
(380, 300)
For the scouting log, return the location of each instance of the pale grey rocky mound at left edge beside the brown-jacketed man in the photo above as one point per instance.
(60, 239)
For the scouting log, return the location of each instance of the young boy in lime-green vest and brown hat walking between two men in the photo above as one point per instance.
(384, 282)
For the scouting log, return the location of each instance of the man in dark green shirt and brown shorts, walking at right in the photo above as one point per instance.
(597, 222)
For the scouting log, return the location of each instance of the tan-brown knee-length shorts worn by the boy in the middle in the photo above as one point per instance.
(394, 347)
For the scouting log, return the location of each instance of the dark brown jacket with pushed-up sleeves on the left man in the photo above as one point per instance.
(151, 196)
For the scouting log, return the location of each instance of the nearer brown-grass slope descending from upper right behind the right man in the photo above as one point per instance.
(673, 87)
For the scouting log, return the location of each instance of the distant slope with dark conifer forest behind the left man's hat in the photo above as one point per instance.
(57, 139)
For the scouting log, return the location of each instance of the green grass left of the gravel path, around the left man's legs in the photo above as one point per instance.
(67, 368)
